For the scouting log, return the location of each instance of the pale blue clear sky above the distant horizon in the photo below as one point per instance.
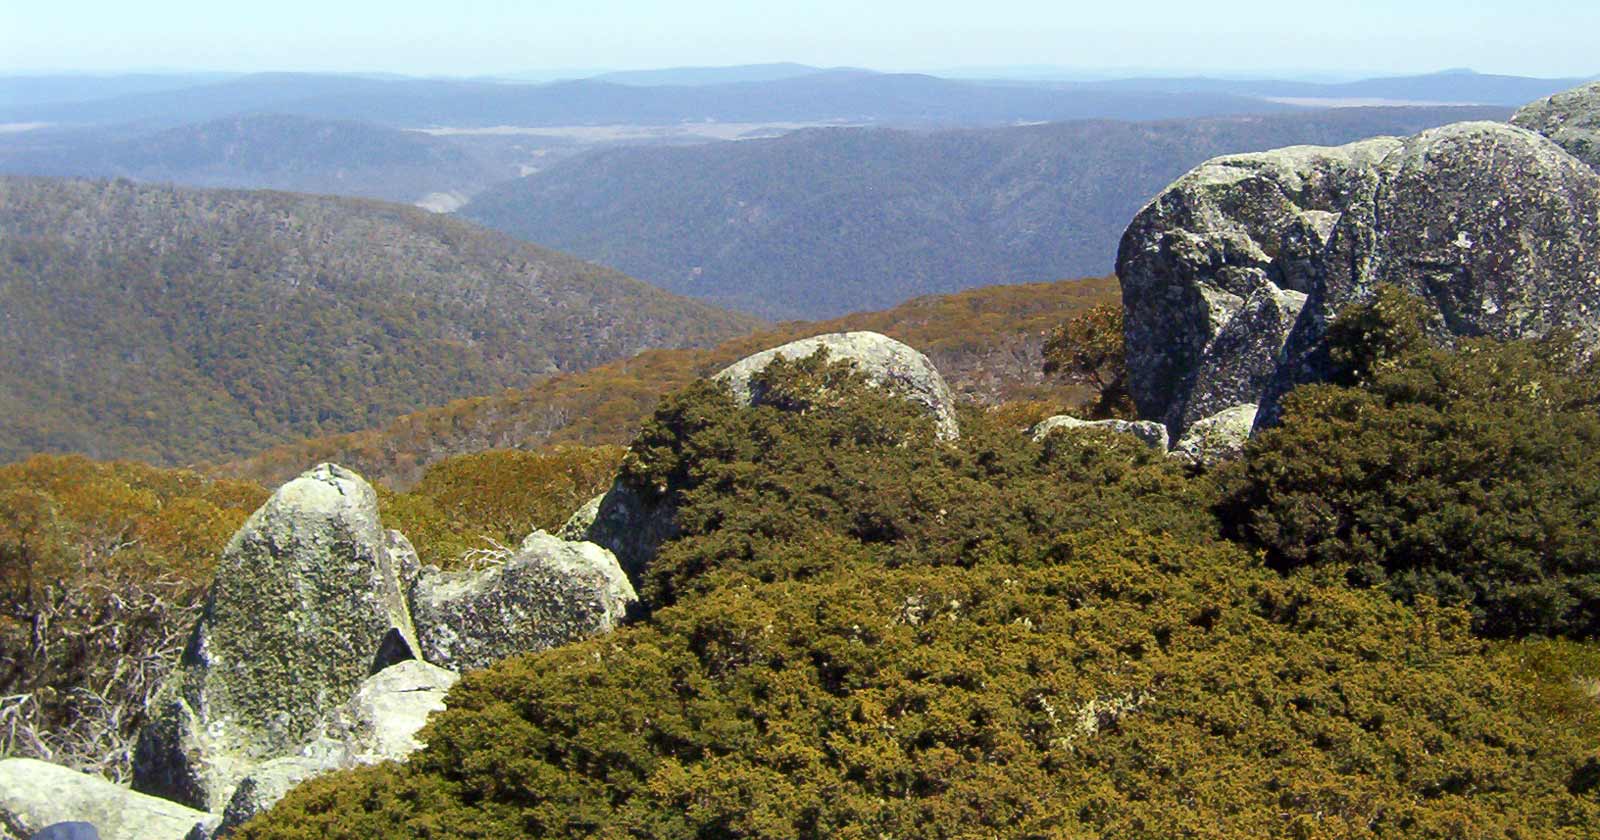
(502, 38)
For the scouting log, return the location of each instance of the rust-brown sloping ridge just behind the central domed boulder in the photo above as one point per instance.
(988, 343)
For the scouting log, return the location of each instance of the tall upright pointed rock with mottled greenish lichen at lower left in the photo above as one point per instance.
(306, 606)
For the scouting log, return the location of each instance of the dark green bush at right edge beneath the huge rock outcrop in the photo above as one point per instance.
(1468, 476)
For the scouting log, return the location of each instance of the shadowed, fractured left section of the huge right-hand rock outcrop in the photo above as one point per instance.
(1236, 231)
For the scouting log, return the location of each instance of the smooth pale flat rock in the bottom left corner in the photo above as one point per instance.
(39, 794)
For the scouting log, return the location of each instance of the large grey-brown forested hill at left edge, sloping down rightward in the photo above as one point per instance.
(178, 326)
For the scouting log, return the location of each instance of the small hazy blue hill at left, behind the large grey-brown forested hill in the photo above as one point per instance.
(265, 151)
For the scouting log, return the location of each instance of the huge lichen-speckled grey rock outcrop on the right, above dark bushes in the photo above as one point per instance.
(1231, 276)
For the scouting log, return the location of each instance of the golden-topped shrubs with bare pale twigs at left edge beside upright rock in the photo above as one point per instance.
(102, 574)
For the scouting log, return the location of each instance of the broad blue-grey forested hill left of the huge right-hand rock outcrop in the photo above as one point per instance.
(828, 222)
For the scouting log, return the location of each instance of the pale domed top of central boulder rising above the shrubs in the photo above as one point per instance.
(881, 359)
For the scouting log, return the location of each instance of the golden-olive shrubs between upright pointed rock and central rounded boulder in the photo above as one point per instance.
(471, 503)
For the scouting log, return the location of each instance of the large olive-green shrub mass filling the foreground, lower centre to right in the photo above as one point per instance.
(868, 633)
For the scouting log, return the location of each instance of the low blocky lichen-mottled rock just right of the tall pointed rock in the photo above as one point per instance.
(546, 594)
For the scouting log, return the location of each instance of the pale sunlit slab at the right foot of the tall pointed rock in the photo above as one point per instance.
(380, 724)
